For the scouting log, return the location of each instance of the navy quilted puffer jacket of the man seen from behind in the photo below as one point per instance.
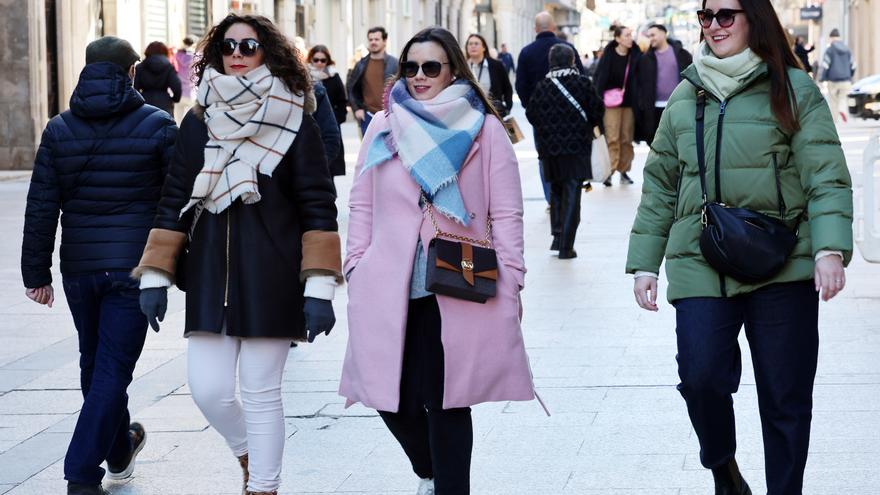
(101, 164)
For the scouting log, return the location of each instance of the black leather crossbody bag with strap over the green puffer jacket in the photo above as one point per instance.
(746, 245)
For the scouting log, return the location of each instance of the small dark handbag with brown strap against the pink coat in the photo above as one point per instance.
(459, 266)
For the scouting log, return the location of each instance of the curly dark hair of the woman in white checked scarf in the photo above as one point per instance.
(279, 54)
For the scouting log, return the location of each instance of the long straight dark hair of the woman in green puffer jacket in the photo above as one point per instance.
(768, 40)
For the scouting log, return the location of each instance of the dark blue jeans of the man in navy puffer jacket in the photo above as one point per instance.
(111, 331)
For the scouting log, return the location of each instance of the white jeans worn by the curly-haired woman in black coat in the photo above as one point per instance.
(254, 426)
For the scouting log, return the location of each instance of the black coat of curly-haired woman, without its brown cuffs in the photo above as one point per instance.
(242, 267)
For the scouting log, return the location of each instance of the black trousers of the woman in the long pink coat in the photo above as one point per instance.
(437, 441)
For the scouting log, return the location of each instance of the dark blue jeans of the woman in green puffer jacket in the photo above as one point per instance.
(781, 323)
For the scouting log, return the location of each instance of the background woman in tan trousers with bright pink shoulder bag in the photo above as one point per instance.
(616, 81)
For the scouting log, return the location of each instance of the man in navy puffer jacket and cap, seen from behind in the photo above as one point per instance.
(101, 165)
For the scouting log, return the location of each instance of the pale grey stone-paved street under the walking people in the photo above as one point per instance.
(605, 368)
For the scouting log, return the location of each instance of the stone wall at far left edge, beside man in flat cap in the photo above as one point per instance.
(17, 140)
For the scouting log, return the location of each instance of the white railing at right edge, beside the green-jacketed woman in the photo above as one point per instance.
(867, 209)
